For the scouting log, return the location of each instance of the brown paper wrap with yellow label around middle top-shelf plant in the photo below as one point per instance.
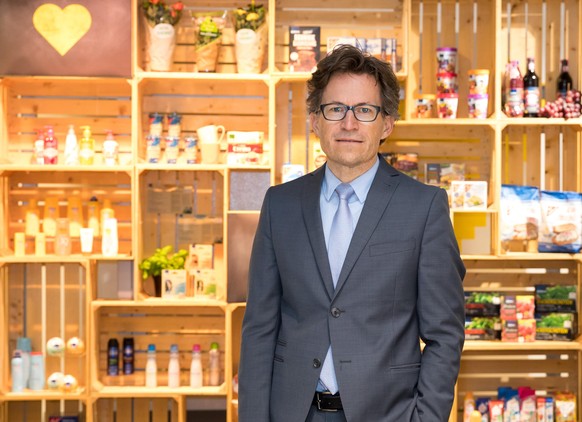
(208, 29)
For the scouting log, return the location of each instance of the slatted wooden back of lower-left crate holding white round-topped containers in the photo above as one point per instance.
(26, 318)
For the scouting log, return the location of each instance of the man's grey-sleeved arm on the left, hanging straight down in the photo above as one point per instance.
(260, 325)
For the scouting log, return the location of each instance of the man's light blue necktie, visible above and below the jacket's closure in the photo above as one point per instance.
(337, 247)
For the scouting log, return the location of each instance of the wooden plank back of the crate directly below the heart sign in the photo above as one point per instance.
(31, 104)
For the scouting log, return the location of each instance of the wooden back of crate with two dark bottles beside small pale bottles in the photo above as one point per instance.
(162, 326)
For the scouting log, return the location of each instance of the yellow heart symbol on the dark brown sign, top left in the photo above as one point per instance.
(62, 28)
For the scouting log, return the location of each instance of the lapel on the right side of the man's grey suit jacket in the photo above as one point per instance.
(378, 198)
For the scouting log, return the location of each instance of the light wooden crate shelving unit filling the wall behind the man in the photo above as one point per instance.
(273, 102)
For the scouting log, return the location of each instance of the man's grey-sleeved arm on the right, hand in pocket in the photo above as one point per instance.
(441, 313)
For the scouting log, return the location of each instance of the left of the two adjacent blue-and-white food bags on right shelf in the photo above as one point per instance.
(519, 212)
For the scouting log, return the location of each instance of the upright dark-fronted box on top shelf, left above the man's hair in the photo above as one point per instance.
(304, 48)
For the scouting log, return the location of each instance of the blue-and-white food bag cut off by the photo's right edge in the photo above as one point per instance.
(561, 229)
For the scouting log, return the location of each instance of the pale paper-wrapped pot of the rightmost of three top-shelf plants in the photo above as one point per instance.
(250, 49)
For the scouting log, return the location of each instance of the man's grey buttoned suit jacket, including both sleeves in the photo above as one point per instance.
(401, 281)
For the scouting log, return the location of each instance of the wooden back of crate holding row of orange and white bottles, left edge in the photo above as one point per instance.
(22, 187)
